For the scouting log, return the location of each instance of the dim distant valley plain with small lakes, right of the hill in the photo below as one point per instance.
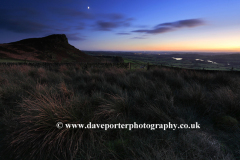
(210, 62)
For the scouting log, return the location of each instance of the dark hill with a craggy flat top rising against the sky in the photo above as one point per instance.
(53, 48)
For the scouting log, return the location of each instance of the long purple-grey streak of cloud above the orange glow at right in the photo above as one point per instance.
(172, 26)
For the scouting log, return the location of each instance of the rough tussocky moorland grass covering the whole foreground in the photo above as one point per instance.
(33, 100)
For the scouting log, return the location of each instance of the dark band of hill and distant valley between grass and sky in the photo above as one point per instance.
(55, 48)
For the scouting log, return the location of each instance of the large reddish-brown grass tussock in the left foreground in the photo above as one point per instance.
(36, 136)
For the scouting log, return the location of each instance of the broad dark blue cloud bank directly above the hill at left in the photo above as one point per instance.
(24, 20)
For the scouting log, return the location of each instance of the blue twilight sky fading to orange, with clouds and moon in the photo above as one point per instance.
(127, 25)
